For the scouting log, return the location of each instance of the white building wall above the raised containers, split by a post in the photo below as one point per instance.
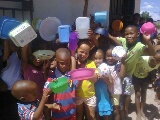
(67, 10)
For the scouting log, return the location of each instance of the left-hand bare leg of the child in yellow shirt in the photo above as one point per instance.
(79, 112)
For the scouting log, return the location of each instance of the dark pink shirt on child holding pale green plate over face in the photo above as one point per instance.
(31, 73)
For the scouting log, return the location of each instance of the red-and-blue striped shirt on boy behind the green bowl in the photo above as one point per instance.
(66, 99)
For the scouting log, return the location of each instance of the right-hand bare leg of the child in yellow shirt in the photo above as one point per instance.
(90, 112)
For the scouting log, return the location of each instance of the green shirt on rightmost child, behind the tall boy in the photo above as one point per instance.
(142, 68)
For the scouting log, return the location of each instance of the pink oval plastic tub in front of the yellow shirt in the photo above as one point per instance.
(81, 73)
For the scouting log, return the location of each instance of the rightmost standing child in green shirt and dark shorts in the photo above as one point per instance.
(141, 80)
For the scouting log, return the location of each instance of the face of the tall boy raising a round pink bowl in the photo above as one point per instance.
(131, 35)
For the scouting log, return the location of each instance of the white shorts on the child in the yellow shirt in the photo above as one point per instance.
(88, 101)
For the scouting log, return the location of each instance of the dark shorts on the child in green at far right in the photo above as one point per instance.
(140, 81)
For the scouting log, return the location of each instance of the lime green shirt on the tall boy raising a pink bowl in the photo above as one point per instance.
(133, 55)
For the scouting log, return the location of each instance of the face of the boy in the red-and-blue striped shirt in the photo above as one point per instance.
(63, 64)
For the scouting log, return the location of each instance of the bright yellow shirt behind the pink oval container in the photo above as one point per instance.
(86, 88)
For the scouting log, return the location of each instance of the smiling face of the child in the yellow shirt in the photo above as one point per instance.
(83, 52)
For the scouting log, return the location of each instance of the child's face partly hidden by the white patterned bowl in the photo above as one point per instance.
(109, 59)
